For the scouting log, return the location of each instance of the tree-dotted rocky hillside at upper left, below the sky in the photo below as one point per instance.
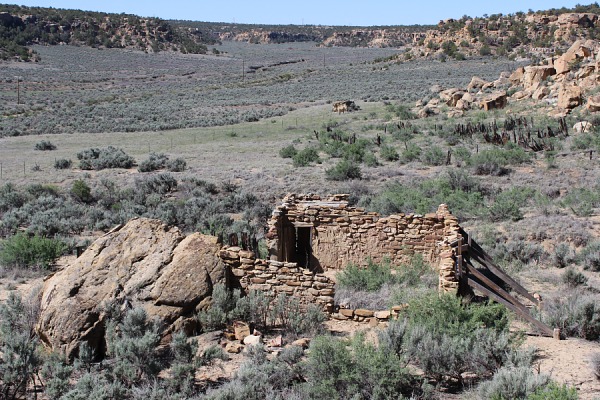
(21, 27)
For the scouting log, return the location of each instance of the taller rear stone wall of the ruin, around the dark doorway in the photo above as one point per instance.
(344, 234)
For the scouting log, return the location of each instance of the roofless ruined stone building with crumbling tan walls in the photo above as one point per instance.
(310, 237)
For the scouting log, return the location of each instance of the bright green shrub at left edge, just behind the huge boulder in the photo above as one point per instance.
(23, 251)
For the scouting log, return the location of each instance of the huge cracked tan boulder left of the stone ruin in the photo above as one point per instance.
(144, 264)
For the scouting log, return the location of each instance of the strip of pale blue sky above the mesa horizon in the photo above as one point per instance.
(313, 12)
